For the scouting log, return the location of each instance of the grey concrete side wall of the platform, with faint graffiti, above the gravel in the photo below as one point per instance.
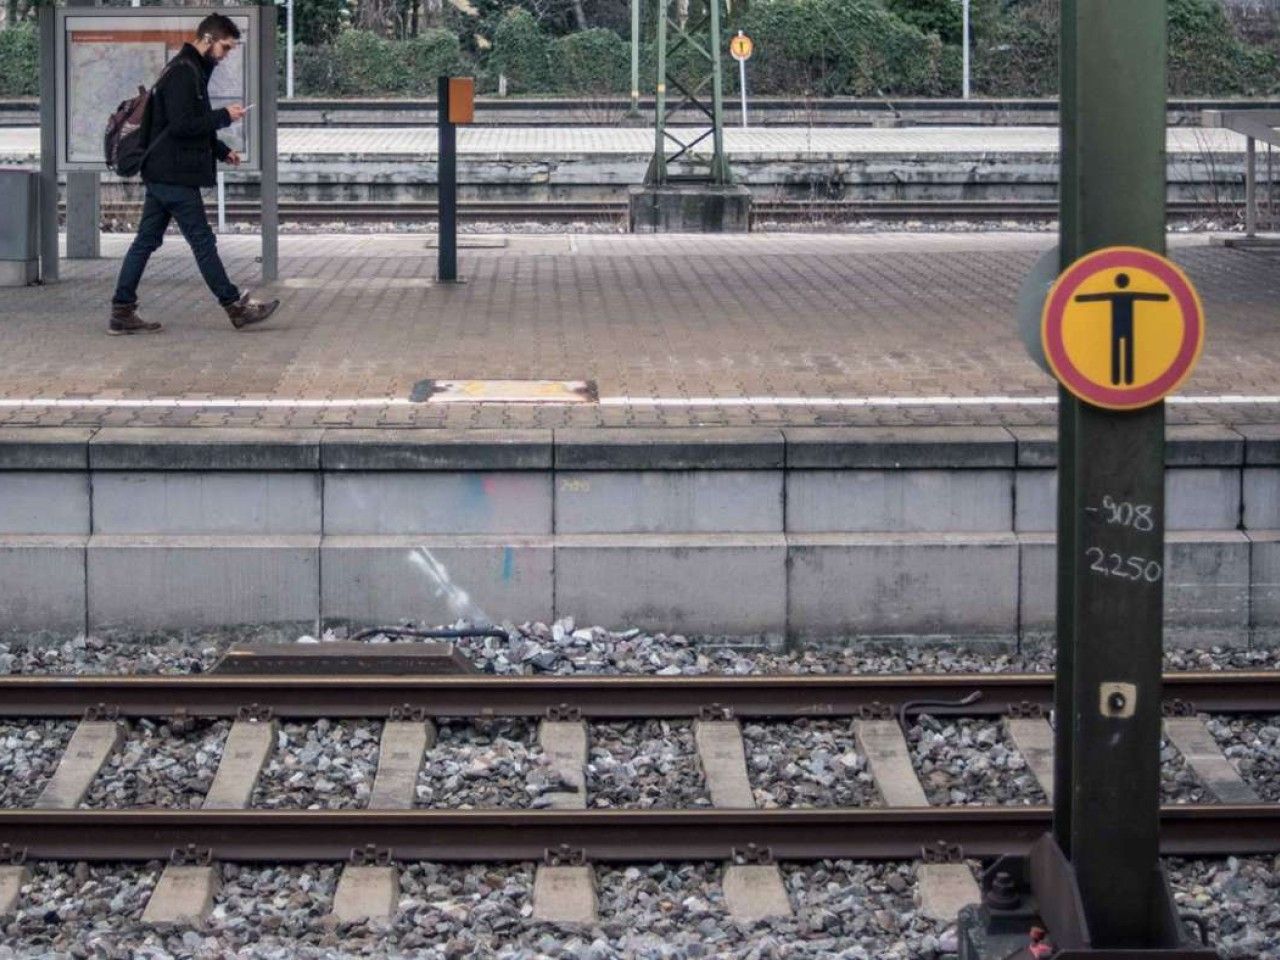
(807, 534)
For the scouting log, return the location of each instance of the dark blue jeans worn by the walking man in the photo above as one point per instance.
(166, 203)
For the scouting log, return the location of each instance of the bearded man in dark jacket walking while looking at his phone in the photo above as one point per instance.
(182, 138)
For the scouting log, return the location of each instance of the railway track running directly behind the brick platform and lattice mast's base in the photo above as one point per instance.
(789, 212)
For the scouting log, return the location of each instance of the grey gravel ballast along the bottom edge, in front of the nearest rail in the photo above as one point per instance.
(843, 909)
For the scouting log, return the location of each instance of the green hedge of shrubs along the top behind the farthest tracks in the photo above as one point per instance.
(803, 48)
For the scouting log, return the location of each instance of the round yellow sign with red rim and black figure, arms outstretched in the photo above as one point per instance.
(1123, 328)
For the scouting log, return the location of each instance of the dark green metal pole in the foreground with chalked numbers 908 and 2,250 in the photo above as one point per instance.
(1114, 62)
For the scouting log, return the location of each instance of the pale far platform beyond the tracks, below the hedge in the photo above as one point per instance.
(601, 163)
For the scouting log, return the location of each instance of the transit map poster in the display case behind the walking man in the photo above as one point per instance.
(104, 56)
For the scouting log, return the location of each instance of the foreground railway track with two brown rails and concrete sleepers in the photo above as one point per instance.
(760, 863)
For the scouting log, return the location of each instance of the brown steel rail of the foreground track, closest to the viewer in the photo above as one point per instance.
(863, 834)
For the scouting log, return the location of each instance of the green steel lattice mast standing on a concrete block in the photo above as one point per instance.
(702, 92)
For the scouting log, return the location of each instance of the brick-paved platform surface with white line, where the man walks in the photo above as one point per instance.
(764, 330)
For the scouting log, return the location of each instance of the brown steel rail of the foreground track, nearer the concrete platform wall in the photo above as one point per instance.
(589, 697)
